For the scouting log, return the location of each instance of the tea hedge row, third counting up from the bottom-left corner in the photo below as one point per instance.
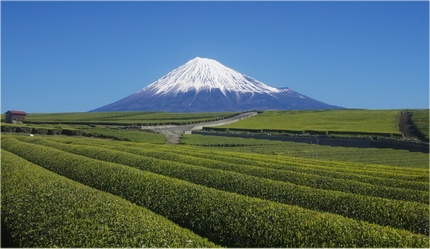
(406, 215)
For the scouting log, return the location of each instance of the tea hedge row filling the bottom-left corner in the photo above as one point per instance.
(43, 209)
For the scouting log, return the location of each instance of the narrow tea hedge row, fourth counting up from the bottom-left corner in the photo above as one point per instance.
(312, 180)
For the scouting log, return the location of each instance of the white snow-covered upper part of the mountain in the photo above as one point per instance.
(200, 74)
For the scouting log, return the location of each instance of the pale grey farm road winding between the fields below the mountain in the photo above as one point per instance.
(173, 133)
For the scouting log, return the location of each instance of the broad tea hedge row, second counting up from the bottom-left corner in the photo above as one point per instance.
(226, 218)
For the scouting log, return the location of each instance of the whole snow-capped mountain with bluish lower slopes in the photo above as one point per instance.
(205, 85)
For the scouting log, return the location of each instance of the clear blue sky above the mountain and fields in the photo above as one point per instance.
(77, 56)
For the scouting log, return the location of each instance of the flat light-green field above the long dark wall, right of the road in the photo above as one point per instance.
(379, 121)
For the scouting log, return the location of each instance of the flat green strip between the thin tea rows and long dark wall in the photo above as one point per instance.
(260, 146)
